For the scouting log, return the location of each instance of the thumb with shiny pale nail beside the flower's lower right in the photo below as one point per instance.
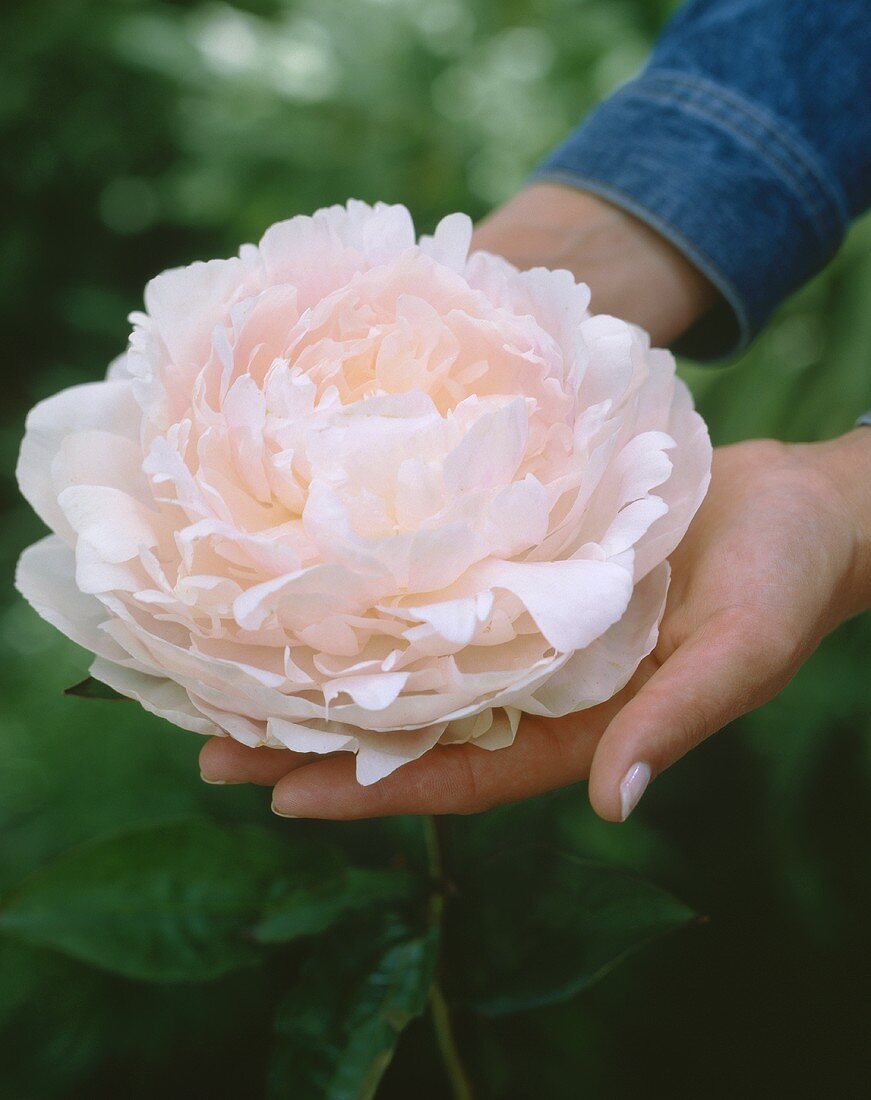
(725, 669)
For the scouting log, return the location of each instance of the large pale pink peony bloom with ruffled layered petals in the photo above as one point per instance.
(351, 491)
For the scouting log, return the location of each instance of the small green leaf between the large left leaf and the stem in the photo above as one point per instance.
(315, 904)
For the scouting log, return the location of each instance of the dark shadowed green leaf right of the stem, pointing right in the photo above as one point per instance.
(534, 927)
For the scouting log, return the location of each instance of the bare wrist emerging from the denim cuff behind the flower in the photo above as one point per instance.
(633, 272)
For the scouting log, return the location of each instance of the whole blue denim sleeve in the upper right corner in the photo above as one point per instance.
(746, 141)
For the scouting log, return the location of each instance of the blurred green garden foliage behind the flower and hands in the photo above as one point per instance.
(139, 136)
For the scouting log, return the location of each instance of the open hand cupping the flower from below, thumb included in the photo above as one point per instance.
(777, 557)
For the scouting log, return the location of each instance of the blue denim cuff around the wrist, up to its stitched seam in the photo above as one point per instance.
(731, 185)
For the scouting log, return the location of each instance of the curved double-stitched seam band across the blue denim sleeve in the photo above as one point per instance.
(704, 101)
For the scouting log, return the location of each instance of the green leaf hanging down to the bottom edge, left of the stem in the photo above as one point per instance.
(338, 1028)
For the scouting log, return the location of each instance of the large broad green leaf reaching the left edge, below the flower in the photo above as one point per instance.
(166, 904)
